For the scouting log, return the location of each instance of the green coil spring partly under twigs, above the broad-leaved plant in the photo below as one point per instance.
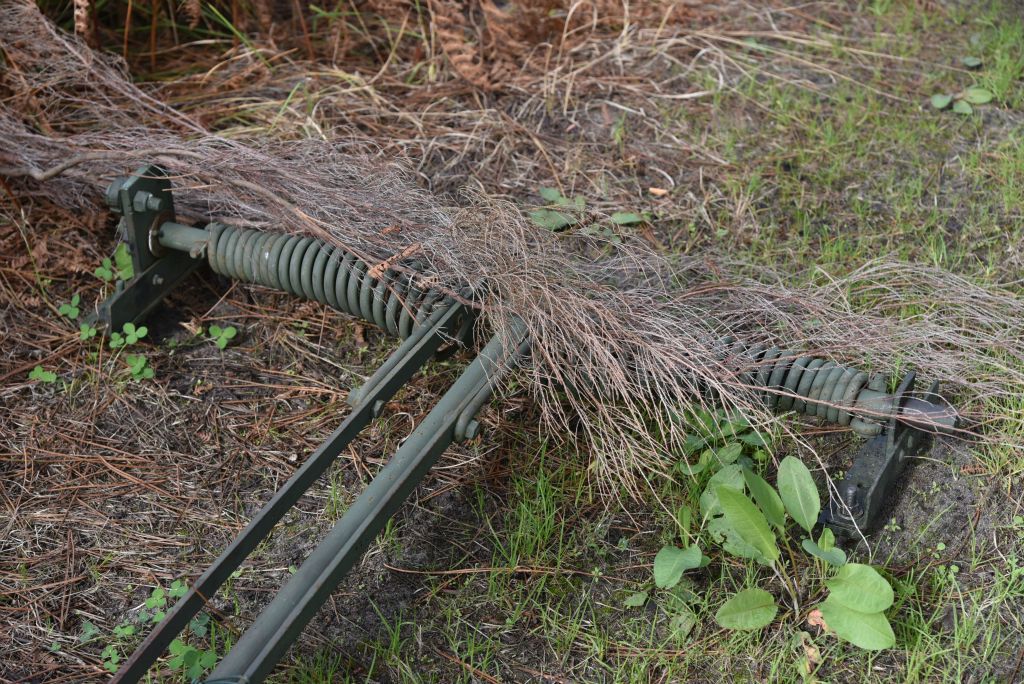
(791, 380)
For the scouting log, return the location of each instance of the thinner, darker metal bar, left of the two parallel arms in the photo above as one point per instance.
(409, 358)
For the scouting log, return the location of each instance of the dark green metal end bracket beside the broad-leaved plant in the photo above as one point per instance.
(872, 479)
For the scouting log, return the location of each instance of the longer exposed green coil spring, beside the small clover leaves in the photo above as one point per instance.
(311, 269)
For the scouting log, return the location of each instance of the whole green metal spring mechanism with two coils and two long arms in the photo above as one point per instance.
(900, 424)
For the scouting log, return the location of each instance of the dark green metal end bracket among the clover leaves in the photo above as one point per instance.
(145, 203)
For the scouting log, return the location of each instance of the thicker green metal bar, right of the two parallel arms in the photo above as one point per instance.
(273, 632)
